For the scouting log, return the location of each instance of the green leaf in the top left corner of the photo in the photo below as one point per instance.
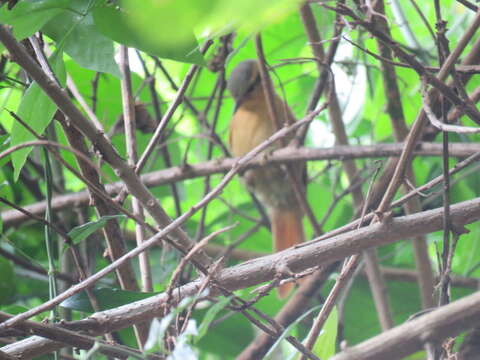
(28, 16)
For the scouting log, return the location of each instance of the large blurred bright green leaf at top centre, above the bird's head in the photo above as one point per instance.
(147, 25)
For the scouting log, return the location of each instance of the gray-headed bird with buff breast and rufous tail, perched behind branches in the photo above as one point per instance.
(251, 125)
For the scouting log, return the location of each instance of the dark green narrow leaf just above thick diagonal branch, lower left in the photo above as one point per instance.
(107, 298)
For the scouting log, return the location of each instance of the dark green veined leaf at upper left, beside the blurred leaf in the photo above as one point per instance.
(81, 39)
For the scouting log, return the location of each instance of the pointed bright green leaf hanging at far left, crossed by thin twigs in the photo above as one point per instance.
(37, 110)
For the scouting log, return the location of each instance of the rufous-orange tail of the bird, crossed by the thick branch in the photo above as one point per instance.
(287, 230)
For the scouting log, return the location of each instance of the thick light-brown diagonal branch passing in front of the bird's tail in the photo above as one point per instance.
(265, 269)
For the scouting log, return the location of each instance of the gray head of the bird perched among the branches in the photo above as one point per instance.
(243, 79)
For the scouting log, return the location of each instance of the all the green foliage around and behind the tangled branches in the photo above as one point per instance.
(82, 38)
